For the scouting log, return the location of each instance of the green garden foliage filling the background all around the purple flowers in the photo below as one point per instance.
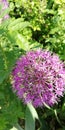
(30, 25)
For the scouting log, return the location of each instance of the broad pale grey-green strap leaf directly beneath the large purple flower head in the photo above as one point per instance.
(31, 114)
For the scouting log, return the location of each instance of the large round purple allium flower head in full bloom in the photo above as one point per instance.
(39, 77)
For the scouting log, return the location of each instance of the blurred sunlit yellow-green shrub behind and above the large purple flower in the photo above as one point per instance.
(47, 22)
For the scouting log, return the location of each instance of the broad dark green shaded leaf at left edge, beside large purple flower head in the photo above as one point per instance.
(7, 60)
